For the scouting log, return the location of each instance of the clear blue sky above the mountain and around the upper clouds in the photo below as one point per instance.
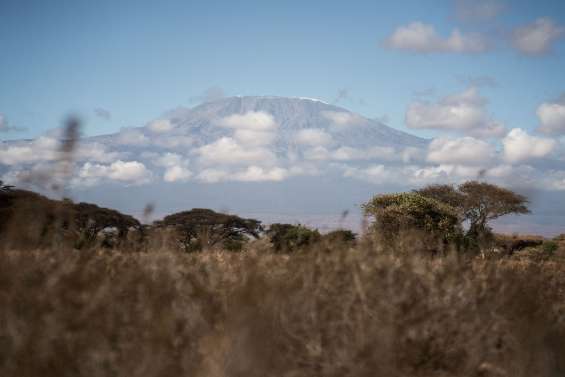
(137, 59)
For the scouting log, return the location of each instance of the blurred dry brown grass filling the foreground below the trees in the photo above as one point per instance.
(341, 313)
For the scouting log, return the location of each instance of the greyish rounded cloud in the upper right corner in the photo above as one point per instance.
(537, 38)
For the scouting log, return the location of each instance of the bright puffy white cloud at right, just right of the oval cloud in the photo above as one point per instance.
(519, 146)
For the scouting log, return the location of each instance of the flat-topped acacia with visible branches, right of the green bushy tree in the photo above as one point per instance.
(478, 203)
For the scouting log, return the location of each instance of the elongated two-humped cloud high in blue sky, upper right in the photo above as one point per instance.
(423, 38)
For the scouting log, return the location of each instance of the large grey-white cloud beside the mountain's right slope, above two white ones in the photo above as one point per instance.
(465, 112)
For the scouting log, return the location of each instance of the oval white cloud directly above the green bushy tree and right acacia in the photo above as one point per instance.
(460, 151)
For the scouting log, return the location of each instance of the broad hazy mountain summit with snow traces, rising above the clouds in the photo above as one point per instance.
(290, 114)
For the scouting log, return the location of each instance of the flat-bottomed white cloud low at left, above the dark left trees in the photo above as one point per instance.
(129, 172)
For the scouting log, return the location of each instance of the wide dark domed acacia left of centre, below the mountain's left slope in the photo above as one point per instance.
(200, 229)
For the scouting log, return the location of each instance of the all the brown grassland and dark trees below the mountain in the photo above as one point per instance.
(87, 291)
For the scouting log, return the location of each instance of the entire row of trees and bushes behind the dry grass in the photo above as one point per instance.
(435, 219)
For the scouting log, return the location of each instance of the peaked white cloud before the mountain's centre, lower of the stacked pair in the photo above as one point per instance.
(226, 150)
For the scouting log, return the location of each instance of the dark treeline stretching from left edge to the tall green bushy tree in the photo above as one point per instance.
(32, 221)
